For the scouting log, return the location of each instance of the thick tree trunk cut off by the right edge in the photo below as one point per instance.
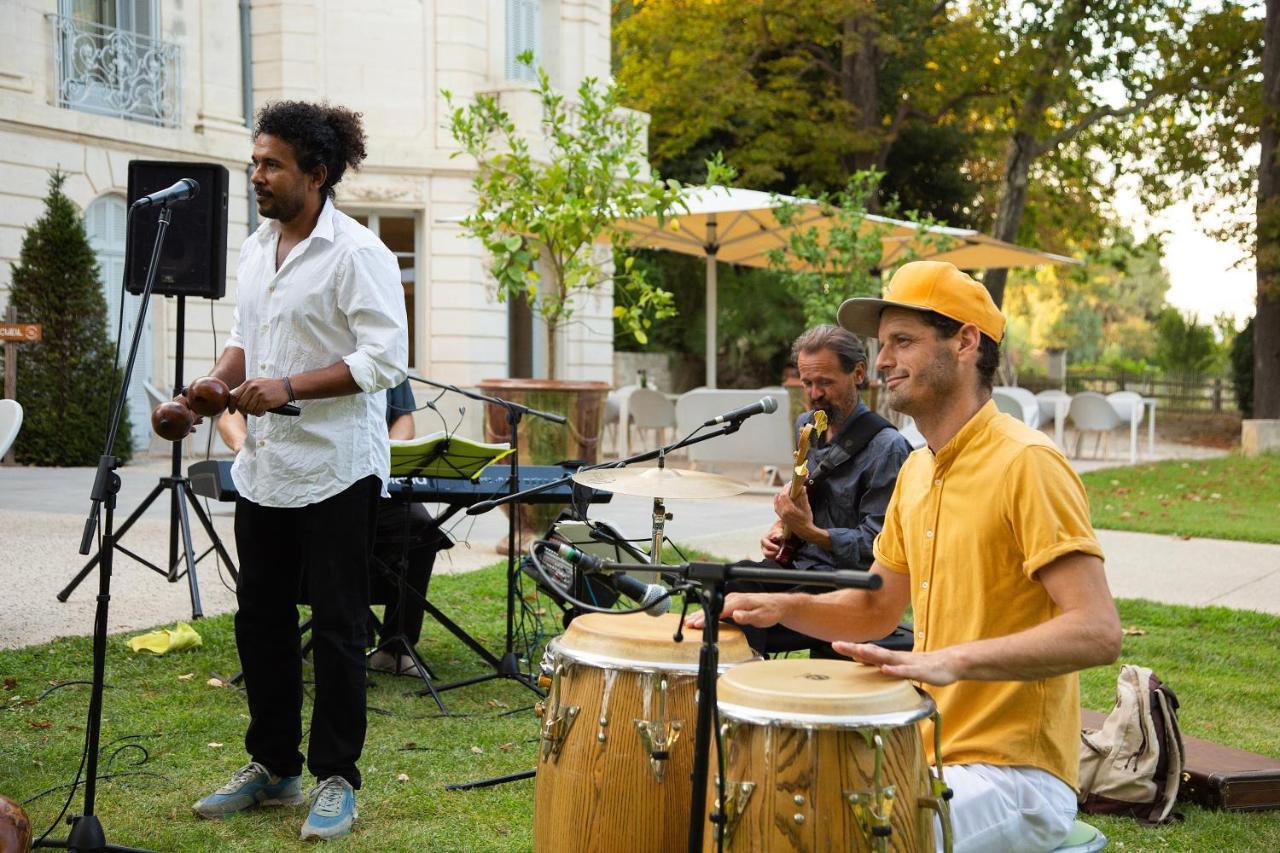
(1267, 323)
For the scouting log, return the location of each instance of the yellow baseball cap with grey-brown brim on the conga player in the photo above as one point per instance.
(927, 286)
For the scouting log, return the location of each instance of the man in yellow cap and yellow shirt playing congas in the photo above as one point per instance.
(989, 539)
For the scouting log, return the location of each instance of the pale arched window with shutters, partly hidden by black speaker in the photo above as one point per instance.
(104, 223)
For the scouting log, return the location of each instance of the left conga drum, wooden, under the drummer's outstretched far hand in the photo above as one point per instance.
(618, 733)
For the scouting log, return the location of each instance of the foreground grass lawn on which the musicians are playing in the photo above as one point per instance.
(1222, 664)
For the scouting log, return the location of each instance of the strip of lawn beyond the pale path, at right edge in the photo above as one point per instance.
(1229, 498)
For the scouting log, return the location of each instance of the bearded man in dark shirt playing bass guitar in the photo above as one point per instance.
(852, 467)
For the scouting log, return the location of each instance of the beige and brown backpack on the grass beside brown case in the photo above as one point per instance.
(1133, 765)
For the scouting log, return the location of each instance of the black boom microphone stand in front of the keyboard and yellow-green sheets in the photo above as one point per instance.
(509, 667)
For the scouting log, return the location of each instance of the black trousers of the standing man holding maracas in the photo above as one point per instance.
(324, 546)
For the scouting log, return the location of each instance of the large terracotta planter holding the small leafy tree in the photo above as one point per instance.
(541, 443)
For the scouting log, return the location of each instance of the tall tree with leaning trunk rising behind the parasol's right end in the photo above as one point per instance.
(1086, 77)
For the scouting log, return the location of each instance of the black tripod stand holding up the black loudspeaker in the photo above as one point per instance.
(180, 523)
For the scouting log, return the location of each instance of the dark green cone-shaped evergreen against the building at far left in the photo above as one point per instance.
(67, 382)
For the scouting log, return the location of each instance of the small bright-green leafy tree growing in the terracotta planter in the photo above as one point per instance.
(545, 209)
